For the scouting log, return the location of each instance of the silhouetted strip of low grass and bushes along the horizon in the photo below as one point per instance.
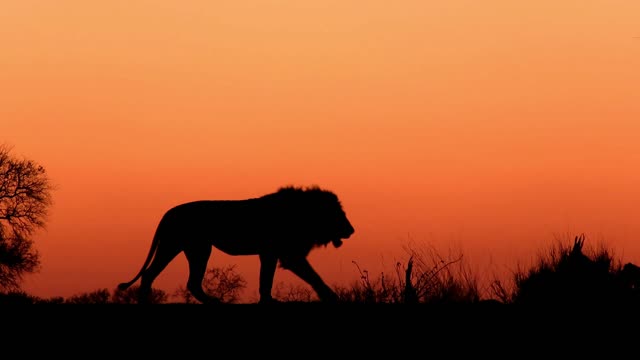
(567, 274)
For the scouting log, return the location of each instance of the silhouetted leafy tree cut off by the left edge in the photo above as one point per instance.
(25, 196)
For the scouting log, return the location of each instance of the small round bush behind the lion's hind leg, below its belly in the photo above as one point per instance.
(224, 283)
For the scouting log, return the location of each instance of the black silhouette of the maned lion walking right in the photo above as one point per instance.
(281, 228)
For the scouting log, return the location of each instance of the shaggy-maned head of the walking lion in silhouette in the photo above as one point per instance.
(317, 215)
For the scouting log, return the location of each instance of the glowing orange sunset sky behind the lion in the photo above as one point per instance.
(490, 126)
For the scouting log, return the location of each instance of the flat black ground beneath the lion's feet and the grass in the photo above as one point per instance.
(311, 330)
